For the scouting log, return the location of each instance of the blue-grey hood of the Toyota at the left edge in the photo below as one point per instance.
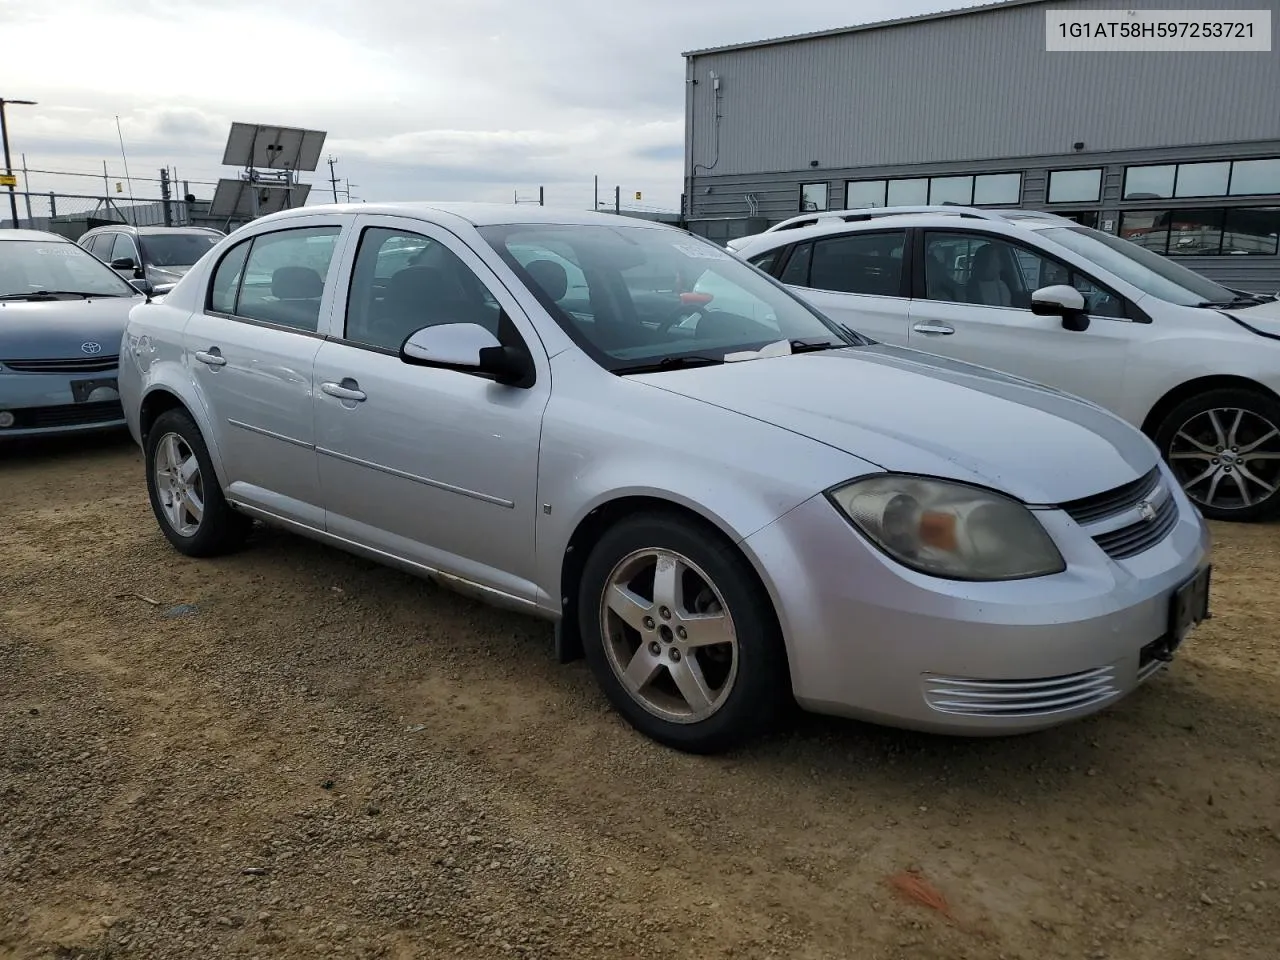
(58, 330)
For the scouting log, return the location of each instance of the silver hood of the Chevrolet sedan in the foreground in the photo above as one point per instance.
(912, 413)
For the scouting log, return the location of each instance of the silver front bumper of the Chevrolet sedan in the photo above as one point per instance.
(867, 638)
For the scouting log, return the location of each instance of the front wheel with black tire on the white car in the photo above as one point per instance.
(1259, 414)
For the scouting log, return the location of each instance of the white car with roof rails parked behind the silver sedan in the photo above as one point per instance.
(1194, 364)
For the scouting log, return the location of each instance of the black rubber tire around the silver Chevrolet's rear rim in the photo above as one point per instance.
(221, 529)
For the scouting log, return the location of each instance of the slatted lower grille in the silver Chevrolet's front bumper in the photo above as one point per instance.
(1021, 698)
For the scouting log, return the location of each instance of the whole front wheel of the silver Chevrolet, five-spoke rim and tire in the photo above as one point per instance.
(682, 636)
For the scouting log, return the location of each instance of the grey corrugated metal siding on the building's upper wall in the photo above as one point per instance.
(973, 86)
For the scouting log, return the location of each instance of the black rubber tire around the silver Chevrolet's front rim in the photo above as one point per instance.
(758, 692)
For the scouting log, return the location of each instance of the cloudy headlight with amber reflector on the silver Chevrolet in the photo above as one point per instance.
(948, 529)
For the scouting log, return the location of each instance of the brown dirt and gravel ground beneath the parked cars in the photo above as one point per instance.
(326, 758)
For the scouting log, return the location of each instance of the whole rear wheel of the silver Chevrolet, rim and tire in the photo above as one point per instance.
(184, 488)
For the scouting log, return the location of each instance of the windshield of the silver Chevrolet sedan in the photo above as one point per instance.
(638, 296)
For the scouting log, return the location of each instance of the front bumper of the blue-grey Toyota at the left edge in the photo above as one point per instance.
(44, 405)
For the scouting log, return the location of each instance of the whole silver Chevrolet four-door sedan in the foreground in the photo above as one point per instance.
(723, 499)
